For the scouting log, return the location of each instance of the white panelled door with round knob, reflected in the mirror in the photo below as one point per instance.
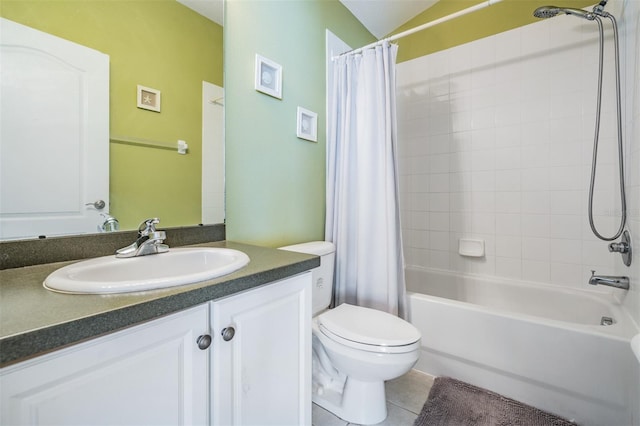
(54, 134)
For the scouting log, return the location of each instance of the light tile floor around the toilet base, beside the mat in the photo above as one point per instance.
(405, 397)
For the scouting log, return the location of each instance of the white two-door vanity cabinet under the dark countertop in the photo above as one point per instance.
(162, 373)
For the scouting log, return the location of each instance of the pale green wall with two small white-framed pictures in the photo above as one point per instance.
(274, 181)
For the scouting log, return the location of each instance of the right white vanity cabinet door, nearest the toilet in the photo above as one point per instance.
(262, 375)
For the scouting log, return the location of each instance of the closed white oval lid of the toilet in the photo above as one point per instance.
(368, 326)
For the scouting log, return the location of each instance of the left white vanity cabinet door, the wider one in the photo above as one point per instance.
(150, 374)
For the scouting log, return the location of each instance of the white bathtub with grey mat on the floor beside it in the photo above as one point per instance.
(539, 344)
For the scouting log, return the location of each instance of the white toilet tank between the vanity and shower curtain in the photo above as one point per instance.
(322, 276)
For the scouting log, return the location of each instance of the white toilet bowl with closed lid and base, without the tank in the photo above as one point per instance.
(356, 343)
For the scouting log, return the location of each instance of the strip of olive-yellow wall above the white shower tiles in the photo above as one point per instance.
(500, 17)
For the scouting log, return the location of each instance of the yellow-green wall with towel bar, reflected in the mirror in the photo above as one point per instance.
(160, 44)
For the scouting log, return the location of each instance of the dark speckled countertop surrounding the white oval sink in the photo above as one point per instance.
(34, 320)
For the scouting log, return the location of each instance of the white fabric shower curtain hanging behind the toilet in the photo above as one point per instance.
(363, 218)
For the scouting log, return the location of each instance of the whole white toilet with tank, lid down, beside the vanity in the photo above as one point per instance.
(355, 349)
